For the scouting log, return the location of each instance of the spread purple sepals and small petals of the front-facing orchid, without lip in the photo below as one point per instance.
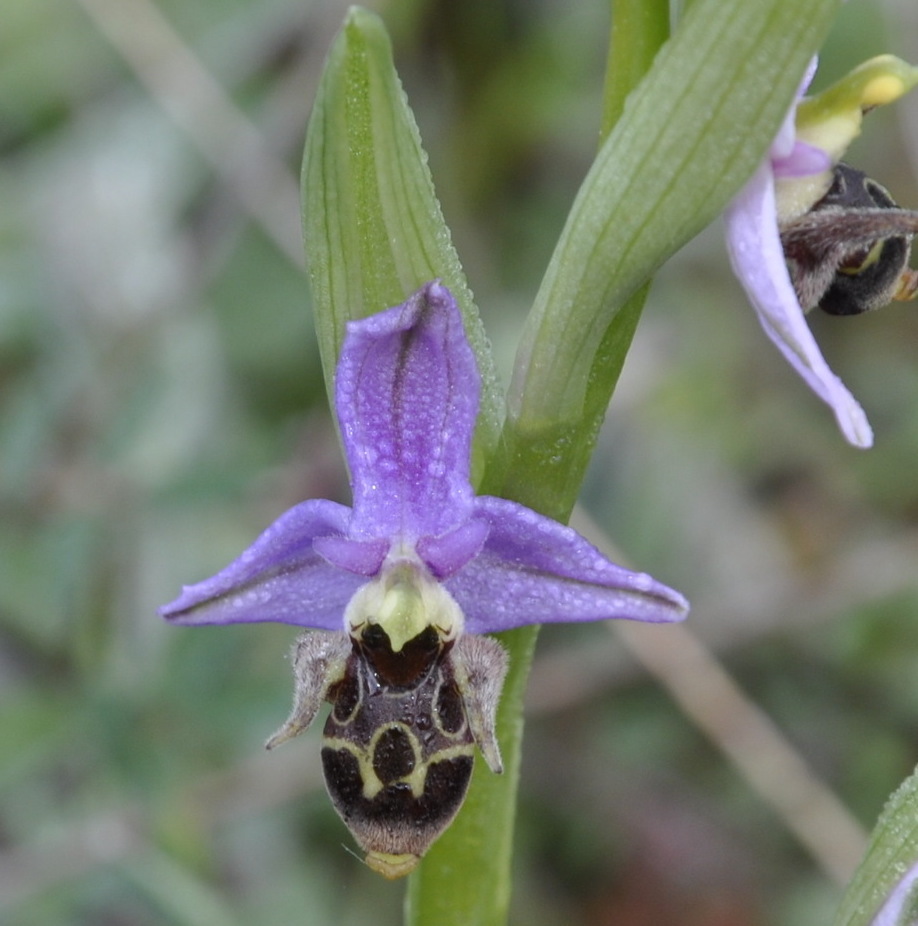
(407, 392)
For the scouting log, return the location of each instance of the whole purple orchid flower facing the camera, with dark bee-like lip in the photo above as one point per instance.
(394, 585)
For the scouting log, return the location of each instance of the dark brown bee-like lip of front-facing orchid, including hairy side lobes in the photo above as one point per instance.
(399, 743)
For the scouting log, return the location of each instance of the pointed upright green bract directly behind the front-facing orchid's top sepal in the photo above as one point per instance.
(372, 223)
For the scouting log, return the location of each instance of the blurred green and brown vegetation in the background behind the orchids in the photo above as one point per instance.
(161, 402)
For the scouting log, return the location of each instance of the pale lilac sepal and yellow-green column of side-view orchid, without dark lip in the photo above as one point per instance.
(795, 176)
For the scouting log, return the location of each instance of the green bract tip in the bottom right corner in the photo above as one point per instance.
(892, 851)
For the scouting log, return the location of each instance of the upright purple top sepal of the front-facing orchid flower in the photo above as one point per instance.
(407, 397)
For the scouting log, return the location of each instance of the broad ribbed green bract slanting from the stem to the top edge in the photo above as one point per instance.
(691, 134)
